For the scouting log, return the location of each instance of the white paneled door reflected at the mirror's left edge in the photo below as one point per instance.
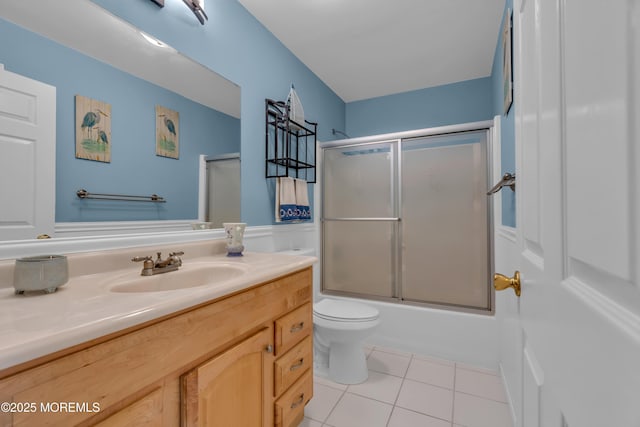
(27, 157)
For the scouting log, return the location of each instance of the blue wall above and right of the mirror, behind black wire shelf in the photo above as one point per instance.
(238, 47)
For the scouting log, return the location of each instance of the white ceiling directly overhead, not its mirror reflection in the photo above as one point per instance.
(367, 48)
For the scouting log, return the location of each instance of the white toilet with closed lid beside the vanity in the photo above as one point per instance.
(339, 329)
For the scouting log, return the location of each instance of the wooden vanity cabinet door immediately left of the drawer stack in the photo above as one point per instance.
(233, 388)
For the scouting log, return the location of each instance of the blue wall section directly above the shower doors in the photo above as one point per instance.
(462, 102)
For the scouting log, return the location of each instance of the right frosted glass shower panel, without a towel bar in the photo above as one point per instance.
(444, 221)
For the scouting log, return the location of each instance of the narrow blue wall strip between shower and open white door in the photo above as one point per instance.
(507, 132)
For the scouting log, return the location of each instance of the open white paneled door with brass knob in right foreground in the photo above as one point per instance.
(577, 83)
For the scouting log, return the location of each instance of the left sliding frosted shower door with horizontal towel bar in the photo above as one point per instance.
(360, 219)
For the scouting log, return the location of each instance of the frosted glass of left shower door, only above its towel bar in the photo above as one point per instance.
(360, 181)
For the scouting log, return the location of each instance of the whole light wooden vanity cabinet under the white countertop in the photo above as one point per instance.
(216, 364)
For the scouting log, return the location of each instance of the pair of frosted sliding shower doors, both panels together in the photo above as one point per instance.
(408, 220)
